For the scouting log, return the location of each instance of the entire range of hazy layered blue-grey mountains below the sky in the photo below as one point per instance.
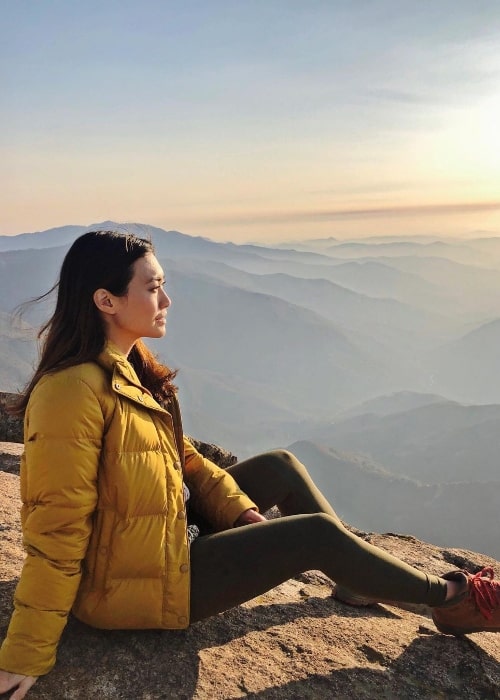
(379, 355)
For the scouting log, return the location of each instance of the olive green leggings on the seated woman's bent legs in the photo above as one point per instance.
(233, 566)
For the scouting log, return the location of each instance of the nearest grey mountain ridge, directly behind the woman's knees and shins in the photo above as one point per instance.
(366, 494)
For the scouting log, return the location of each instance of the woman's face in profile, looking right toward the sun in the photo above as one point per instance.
(142, 311)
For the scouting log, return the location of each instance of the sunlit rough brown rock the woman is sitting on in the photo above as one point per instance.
(293, 642)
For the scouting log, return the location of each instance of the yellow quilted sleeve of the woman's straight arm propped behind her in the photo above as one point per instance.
(63, 436)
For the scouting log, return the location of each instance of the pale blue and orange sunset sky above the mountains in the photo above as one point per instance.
(252, 120)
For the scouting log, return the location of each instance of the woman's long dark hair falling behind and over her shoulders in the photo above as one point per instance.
(75, 333)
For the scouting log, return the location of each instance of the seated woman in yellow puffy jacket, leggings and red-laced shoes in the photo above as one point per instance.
(106, 478)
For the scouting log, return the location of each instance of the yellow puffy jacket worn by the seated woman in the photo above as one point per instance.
(103, 516)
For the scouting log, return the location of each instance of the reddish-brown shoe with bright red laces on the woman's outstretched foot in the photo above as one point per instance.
(476, 610)
